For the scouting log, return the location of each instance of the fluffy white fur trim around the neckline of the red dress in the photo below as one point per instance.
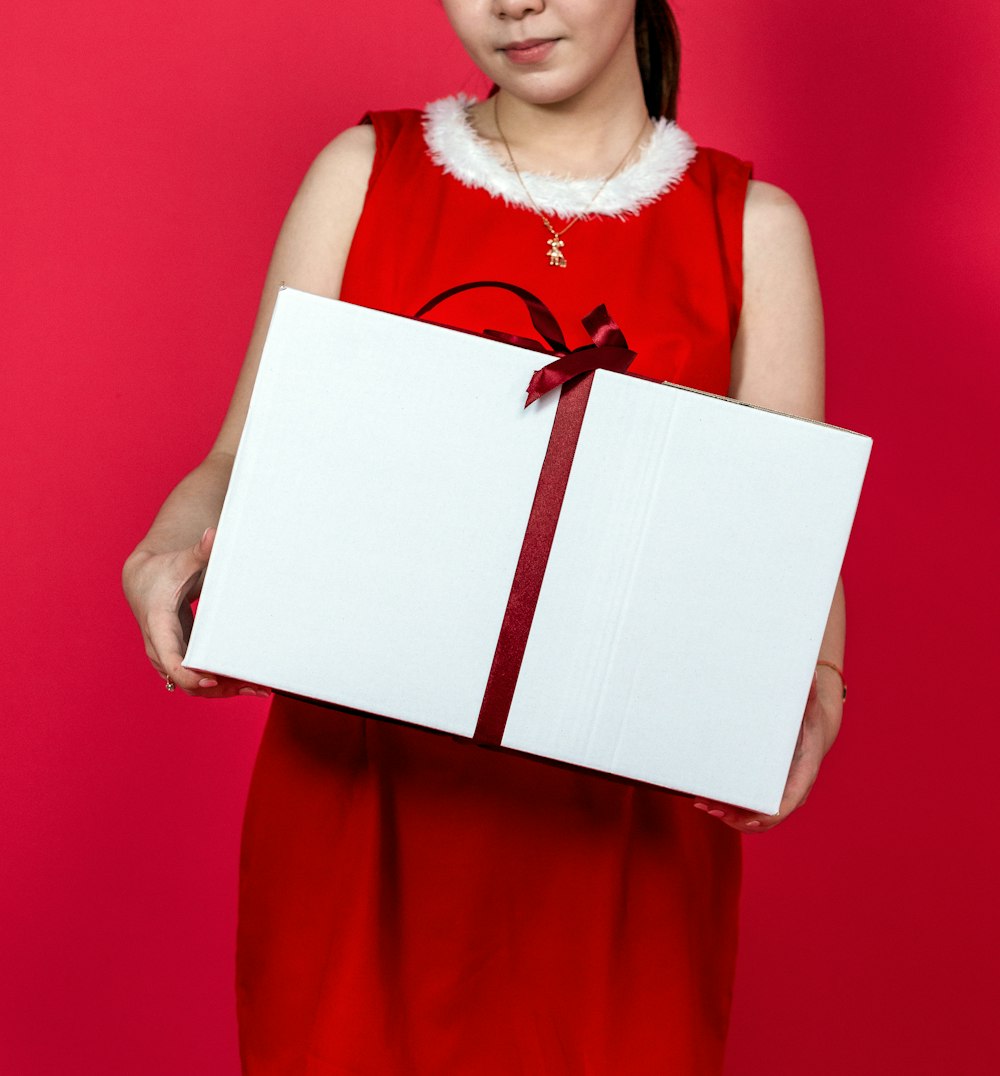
(455, 146)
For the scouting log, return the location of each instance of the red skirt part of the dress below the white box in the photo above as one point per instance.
(415, 904)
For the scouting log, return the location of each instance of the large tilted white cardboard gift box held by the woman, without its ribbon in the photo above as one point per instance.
(377, 512)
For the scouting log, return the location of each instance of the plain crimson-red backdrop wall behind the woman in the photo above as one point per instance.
(150, 152)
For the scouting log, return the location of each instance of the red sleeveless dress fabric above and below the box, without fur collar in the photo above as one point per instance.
(412, 904)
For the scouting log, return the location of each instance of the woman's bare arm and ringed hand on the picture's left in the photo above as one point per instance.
(163, 575)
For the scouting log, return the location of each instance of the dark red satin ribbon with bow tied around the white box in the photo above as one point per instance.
(609, 352)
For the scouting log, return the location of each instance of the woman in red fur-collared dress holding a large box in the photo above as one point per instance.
(410, 904)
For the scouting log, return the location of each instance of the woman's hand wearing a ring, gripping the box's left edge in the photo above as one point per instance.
(161, 588)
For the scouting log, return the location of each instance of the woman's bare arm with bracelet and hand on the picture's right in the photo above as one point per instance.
(779, 364)
